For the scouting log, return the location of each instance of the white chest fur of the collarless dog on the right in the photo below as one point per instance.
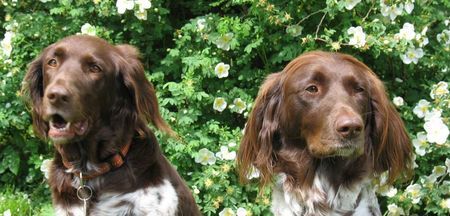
(323, 199)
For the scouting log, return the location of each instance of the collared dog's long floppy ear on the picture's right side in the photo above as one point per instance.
(145, 103)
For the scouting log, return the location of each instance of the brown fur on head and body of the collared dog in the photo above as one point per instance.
(118, 102)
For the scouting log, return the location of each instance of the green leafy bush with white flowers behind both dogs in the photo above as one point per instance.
(207, 61)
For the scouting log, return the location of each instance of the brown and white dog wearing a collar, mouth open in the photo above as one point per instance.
(93, 101)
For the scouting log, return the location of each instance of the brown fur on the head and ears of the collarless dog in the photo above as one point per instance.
(291, 130)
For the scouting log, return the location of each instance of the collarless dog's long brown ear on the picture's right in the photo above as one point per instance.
(391, 143)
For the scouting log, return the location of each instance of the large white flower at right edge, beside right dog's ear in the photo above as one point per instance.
(437, 131)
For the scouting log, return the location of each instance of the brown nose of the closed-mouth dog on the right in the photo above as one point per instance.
(349, 126)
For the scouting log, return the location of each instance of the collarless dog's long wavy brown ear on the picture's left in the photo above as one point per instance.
(256, 147)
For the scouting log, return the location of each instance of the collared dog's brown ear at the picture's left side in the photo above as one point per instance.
(33, 92)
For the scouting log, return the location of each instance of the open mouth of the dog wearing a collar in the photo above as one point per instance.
(61, 129)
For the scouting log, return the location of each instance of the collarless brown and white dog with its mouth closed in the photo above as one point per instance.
(322, 128)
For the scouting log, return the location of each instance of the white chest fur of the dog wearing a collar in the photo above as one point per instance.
(161, 200)
